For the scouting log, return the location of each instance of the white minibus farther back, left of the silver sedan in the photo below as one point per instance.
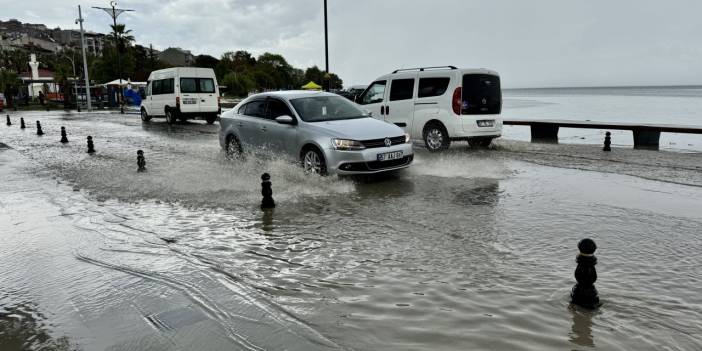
(181, 93)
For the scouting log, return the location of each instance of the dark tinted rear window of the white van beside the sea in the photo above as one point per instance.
(482, 94)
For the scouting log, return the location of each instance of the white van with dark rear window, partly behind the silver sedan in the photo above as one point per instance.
(439, 104)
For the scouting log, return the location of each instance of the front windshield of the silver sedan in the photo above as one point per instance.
(325, 108)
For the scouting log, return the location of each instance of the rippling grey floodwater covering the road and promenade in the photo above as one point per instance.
(471, 249)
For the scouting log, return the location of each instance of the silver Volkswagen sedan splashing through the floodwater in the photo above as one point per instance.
(325, 132)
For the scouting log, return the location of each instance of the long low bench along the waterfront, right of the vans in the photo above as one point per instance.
(646, 136)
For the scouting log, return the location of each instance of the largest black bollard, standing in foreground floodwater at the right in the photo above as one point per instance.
(584, 293)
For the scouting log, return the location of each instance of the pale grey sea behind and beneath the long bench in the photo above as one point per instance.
(677, 105)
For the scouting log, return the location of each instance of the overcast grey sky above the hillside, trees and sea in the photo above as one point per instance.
(532, 43)
